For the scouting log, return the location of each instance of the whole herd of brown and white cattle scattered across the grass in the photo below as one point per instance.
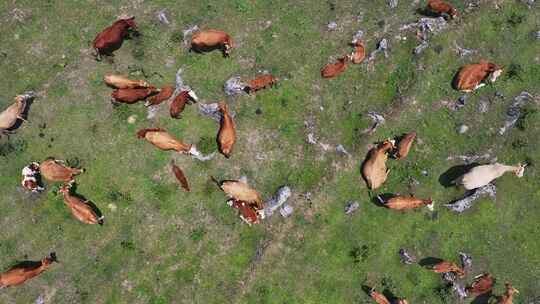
(243, 197)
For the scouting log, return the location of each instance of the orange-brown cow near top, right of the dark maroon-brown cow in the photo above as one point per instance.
(209, 40)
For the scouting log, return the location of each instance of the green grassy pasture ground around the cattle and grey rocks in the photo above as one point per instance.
(161, 245)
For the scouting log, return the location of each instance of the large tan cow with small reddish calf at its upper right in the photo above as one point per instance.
(374, 168)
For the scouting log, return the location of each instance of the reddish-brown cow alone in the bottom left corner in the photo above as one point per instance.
(25, 271)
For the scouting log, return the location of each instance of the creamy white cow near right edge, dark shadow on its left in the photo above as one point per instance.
(480, 176)
